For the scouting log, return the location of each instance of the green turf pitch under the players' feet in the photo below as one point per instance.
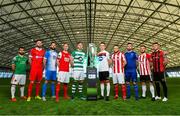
(100, 107)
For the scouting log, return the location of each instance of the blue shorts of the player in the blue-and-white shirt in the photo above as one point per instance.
(50, 75)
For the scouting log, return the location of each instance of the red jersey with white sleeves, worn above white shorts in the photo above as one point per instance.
(64, 61)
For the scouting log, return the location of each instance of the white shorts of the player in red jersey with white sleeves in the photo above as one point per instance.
(63, 77)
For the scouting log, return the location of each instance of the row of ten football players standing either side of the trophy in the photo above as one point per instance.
(124, 71)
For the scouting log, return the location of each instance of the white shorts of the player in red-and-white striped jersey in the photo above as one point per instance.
(118, 78)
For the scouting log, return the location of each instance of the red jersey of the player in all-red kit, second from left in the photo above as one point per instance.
(37, 56)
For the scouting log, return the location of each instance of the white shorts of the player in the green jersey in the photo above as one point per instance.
(18, 79)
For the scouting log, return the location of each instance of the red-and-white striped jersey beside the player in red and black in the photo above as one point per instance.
(144, 64)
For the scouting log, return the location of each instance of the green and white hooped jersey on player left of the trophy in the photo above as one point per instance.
(79, 60)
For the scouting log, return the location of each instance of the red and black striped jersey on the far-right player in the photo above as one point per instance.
(158, 61)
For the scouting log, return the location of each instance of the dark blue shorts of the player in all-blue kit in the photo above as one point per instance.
(131, 76)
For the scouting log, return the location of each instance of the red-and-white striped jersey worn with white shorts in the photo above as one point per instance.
(118, 62)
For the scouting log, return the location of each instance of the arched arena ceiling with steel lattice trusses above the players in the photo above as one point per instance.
(111, 21)
